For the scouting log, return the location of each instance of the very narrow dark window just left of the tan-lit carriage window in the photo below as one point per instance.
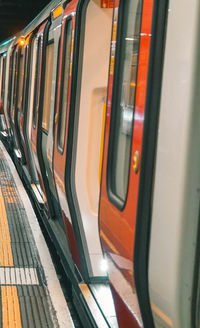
(36, 83)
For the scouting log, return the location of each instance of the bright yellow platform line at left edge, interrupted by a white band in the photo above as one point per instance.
(11, 317)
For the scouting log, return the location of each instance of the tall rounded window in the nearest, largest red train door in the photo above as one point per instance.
(122, 112)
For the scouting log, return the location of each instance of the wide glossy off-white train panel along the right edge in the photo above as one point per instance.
(174, 243)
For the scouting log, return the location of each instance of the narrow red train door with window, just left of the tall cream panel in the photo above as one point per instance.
(61, 119)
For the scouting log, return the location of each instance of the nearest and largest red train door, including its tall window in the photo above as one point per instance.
(122, 150)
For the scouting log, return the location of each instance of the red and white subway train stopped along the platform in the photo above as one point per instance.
(100, 113)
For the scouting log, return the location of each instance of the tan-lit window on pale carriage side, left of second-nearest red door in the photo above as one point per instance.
(47, 86)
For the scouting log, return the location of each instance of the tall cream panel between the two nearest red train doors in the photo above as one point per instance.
(90, 123)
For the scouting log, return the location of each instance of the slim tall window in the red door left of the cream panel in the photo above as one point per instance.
(65, 84)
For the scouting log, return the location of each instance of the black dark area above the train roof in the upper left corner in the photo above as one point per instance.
(16, 14)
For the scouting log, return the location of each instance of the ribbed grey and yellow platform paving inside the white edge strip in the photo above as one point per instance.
(24, 297)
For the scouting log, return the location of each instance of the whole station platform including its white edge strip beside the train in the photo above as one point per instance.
(30, 292)
